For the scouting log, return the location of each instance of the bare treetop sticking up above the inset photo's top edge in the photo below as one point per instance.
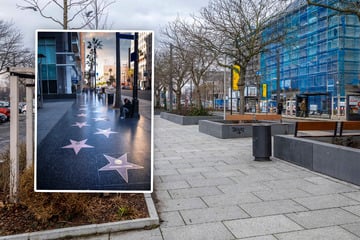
(71, 11)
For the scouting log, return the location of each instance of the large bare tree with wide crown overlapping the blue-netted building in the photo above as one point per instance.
(235, 29)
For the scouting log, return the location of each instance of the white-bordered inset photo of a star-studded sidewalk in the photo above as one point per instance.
(94, 105)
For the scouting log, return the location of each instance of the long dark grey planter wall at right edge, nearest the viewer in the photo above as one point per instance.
(321, 156)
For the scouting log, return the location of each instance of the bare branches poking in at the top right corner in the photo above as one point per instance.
(344, 6)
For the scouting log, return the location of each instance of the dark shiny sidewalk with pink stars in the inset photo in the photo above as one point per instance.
(91, 148)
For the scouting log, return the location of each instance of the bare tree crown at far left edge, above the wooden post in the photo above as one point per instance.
(11, 51)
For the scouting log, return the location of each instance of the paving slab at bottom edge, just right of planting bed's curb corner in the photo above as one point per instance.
(210, 231)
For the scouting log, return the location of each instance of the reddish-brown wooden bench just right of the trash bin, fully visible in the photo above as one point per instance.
(316, 126)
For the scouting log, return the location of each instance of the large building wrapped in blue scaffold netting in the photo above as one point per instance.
(319, 59)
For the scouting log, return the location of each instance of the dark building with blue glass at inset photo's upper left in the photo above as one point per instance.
(59, 60)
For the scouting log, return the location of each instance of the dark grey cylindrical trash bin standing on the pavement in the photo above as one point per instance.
(262, 142)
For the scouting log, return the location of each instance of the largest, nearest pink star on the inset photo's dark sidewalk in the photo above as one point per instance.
(121, 165)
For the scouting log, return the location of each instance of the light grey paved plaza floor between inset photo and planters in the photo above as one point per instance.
(211, 189)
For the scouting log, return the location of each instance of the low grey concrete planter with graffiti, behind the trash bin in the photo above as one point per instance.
(232, 129)
